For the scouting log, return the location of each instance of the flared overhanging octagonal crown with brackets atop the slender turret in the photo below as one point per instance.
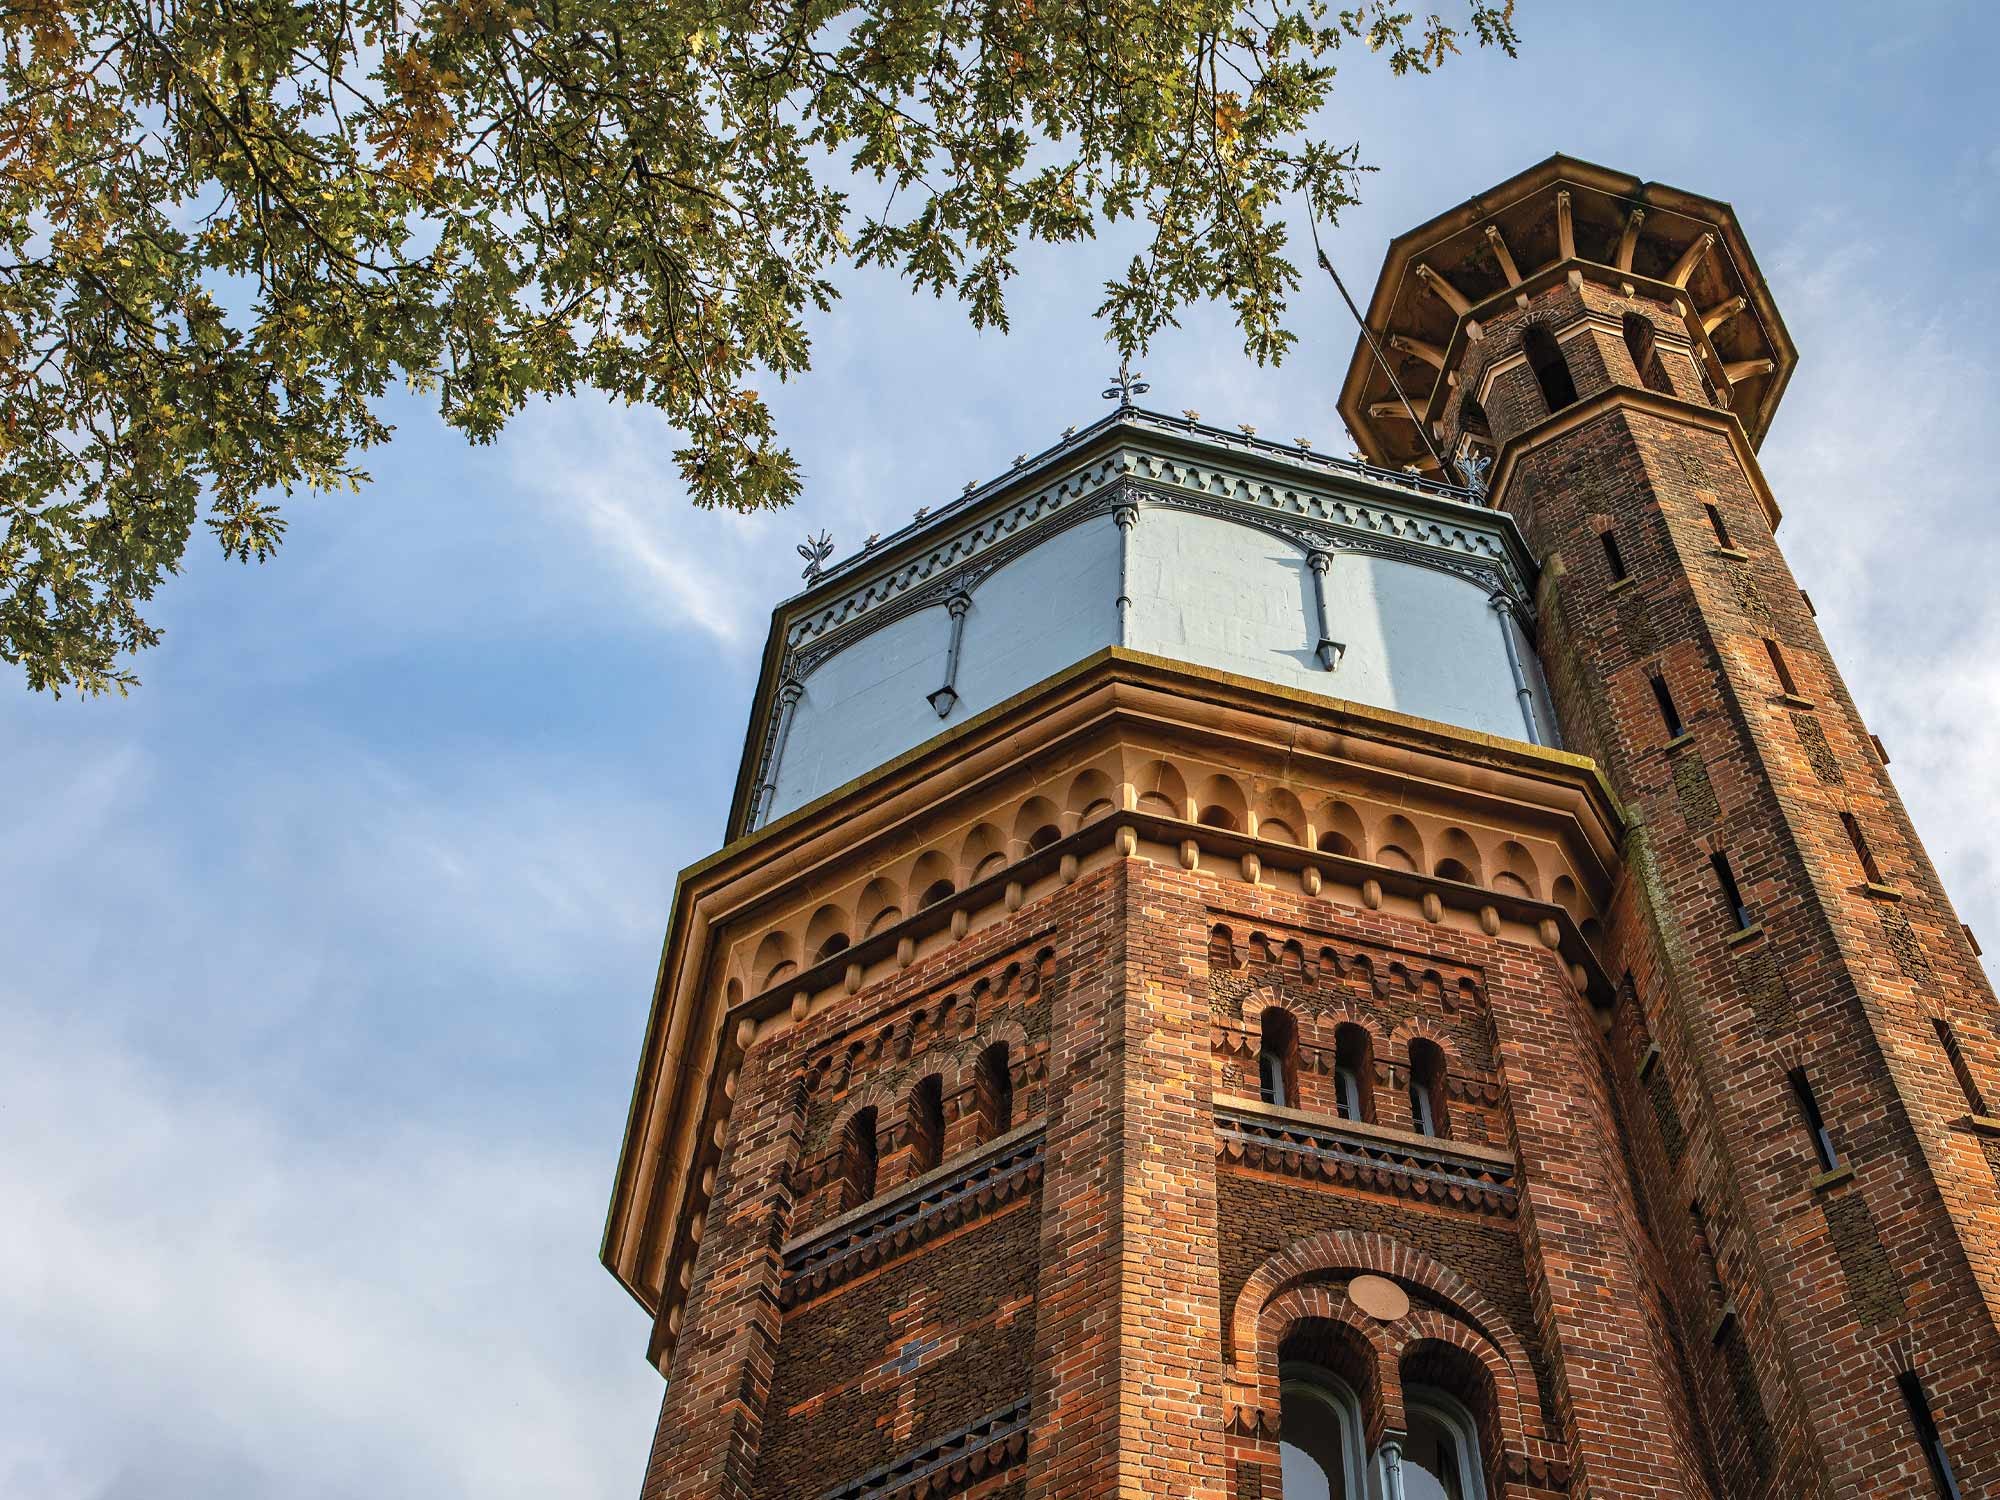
(1563, 221)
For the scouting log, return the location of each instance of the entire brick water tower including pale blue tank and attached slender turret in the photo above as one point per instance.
(1189, 1009)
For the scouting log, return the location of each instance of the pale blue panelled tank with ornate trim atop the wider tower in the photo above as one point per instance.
(1163, 537)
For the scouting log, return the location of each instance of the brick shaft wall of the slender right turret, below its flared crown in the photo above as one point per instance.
(1835, 1285)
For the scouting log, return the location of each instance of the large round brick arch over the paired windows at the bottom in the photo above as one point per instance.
(1253, 1337)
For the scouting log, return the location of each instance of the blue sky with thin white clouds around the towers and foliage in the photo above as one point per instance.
(329, 951)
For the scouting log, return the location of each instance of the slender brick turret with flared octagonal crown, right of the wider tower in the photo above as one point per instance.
(1805, 1033)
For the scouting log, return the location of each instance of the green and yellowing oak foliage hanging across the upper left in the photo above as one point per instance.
(233, 223)
